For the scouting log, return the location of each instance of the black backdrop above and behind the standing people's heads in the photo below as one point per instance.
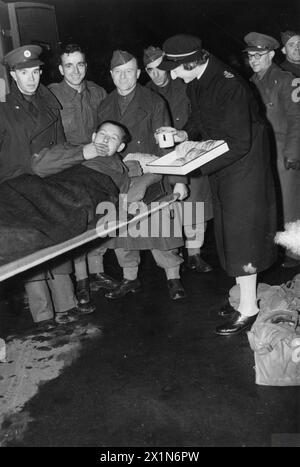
(104, 25)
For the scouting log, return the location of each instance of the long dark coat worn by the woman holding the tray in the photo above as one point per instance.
(223, 108)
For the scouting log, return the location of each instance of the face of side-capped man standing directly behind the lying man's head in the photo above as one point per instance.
(125, 76)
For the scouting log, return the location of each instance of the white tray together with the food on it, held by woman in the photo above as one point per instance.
(187, 157)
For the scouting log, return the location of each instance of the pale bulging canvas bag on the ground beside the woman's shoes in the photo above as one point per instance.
(275, 340)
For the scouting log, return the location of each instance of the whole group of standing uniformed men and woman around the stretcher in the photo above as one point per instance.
(199, 98)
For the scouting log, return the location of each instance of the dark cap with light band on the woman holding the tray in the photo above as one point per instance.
(182, 48)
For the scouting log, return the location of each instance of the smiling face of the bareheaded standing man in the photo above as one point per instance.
(73, 68)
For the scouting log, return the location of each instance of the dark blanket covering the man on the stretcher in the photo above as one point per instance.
(36, 213)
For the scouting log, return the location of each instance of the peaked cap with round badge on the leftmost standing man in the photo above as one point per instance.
(26, 56)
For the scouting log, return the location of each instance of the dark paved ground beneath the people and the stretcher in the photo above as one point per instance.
(156, 375)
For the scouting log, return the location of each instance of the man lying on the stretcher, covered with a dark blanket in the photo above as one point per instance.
(59, 202)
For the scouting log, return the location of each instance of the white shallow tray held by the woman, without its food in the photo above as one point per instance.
(163, 165)
